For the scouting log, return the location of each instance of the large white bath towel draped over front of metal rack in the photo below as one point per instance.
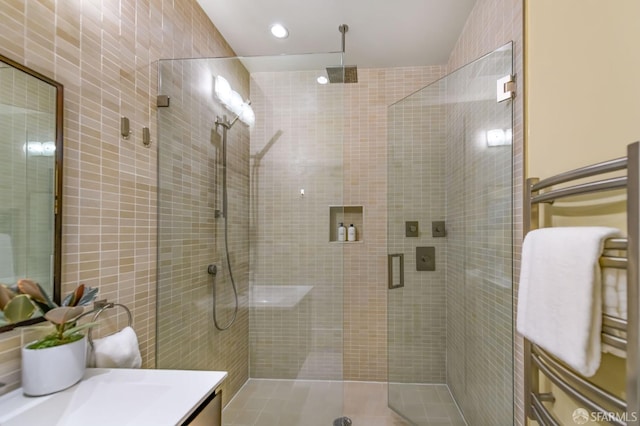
(560, 295)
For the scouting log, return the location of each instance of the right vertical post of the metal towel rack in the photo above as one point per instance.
(633, 292)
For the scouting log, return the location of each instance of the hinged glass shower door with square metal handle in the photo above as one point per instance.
(450, 234)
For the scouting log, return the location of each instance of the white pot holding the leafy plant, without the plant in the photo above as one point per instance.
(50, 370)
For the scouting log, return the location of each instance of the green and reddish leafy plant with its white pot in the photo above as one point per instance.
(57, 360)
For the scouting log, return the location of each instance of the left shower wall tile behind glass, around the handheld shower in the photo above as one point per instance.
(190, 233)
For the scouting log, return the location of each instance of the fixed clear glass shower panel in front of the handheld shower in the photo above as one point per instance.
(284, 175)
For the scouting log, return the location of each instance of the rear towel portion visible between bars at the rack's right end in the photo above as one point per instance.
(614, 291)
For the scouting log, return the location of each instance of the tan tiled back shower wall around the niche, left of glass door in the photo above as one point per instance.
(290, 234)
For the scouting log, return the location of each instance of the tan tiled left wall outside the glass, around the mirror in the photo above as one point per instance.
(105, 54)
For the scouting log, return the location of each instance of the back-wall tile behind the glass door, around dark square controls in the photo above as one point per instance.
(417, 312)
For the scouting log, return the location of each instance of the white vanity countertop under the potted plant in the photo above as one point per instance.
(110, 397)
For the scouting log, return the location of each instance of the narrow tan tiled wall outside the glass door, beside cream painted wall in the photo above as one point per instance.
(493, 23)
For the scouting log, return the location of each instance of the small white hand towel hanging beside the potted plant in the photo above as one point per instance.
(119, 350)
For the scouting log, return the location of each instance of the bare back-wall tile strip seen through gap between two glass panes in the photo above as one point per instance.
(366, 135)
